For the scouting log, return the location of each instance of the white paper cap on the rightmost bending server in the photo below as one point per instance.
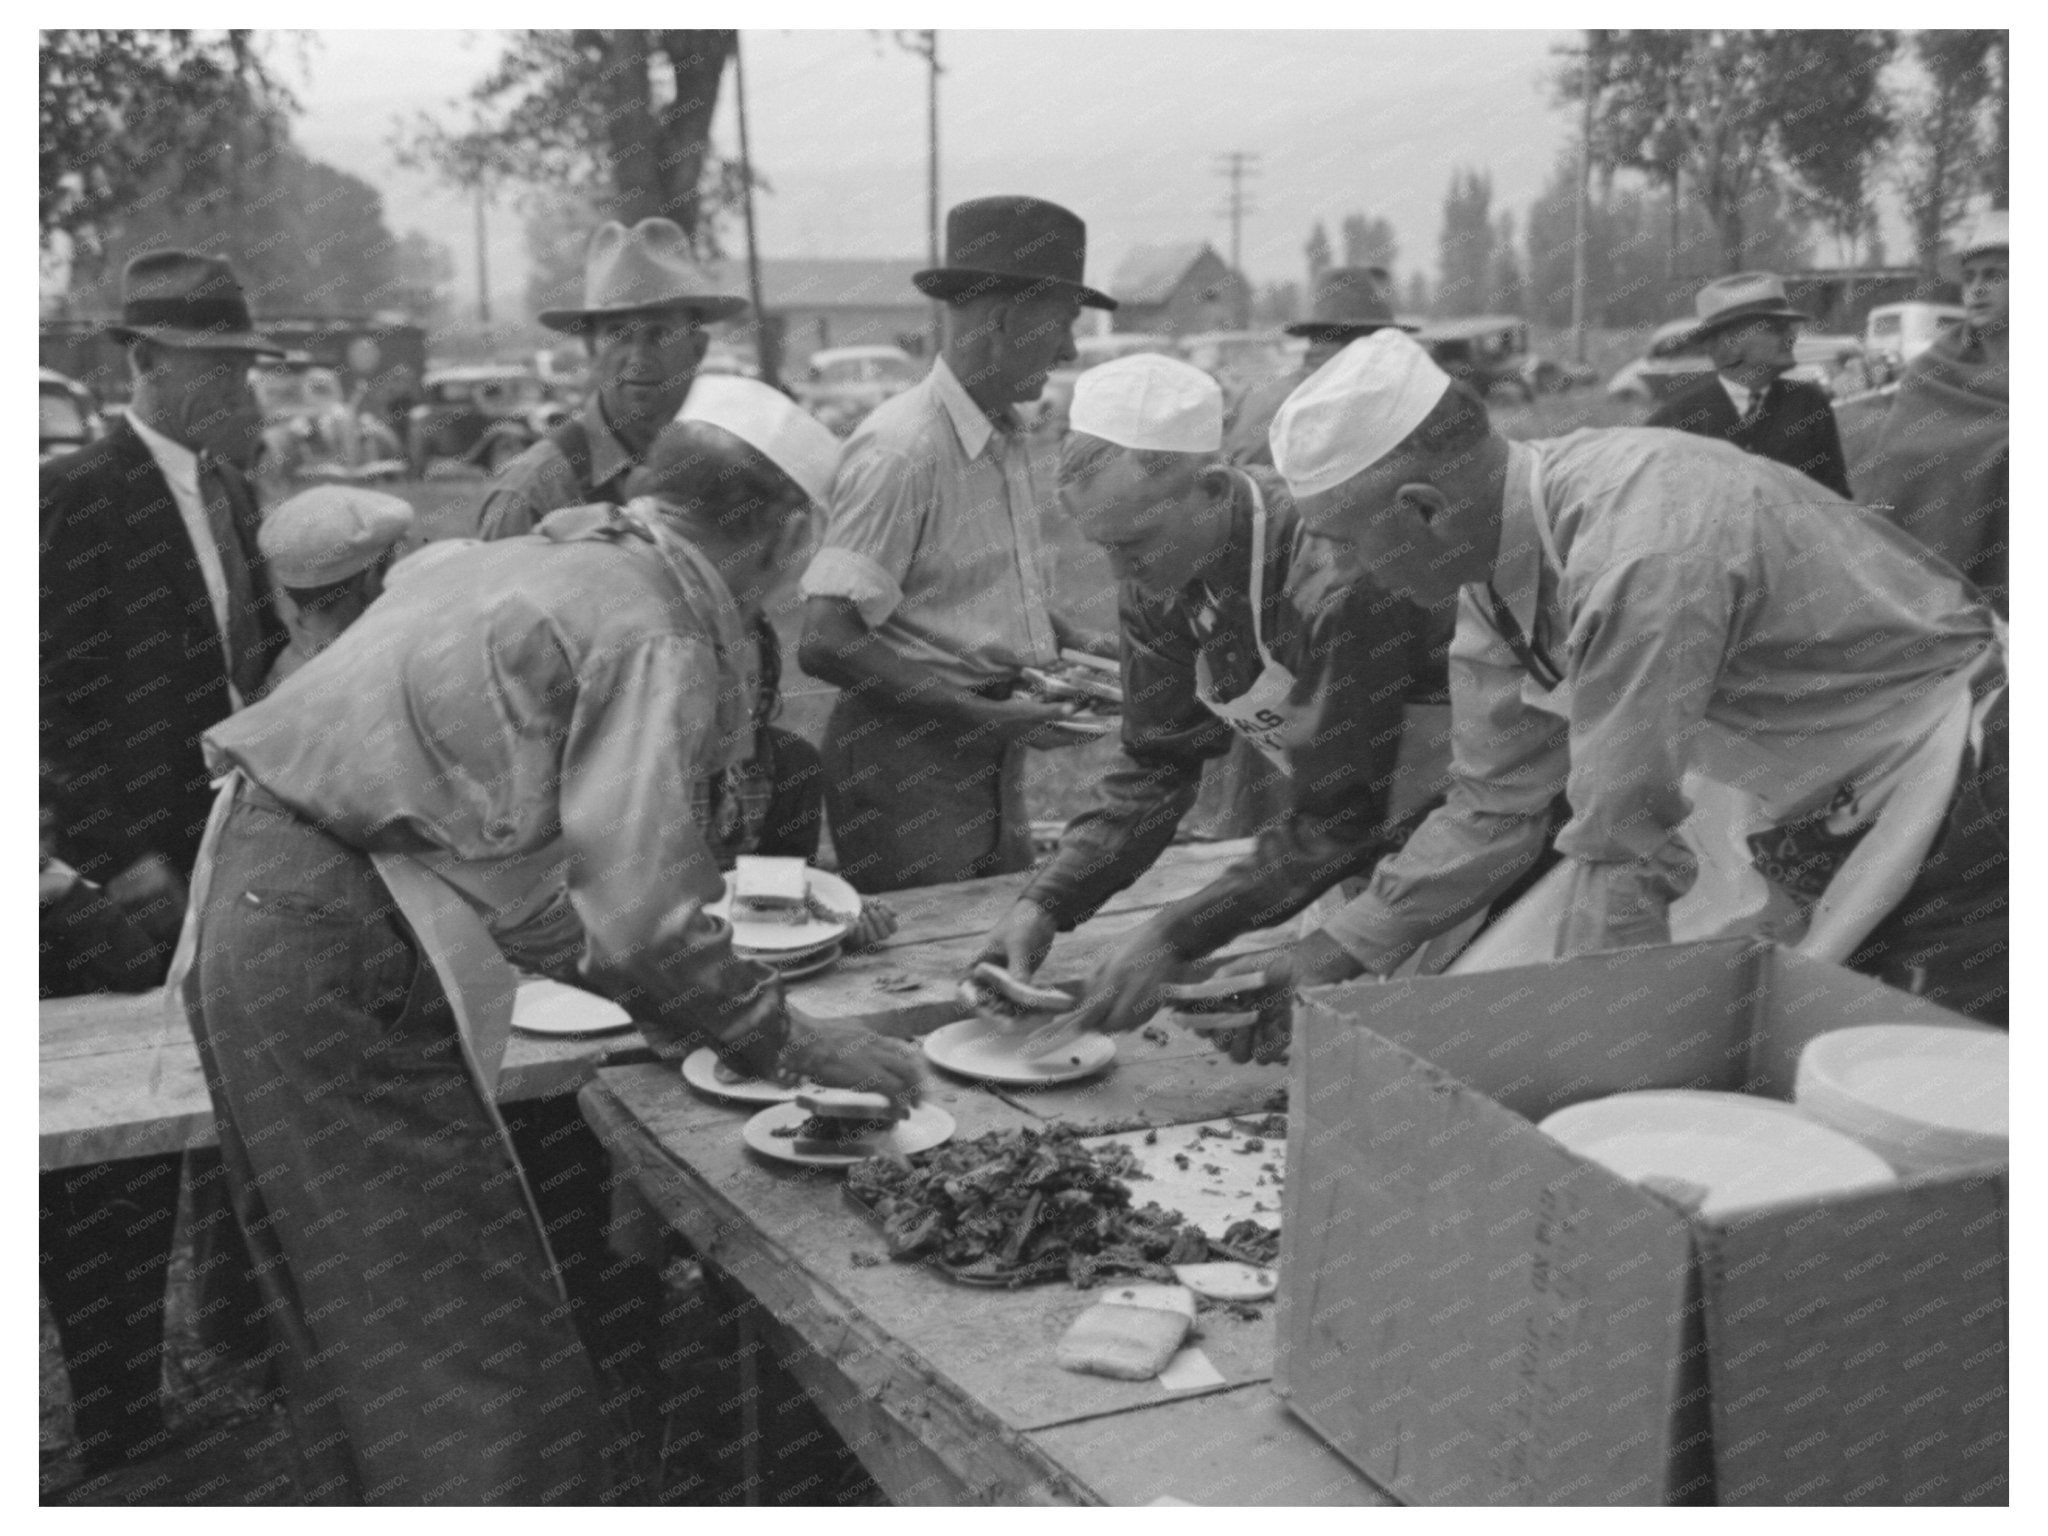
(1351, 413)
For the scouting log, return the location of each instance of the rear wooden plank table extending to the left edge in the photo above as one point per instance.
(122, 1080)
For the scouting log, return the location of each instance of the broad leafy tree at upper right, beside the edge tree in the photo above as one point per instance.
(1711, 110)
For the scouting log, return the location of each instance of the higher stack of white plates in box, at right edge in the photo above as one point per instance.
(1922, 1097)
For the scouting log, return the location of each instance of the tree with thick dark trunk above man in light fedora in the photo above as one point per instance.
(617, 116)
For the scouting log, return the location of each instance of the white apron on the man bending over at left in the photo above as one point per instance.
(454, 939)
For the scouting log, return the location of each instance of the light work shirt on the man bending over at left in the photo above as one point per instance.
(519, 710)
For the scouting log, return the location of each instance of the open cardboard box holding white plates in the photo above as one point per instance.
(1471, 1314)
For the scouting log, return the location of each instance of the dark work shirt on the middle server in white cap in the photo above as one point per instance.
(1357, 656)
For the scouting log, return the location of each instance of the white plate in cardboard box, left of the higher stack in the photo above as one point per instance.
(1742, 1150)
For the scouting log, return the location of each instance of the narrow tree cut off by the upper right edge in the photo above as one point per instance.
(1945, 136)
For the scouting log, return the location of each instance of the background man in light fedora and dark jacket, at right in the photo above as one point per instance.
(1748, 329)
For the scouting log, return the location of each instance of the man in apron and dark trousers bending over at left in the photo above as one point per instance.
(507, 724)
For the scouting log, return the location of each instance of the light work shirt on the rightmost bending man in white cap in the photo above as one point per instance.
(1701, 587)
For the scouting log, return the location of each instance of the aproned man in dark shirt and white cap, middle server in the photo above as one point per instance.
(1232, 630)
